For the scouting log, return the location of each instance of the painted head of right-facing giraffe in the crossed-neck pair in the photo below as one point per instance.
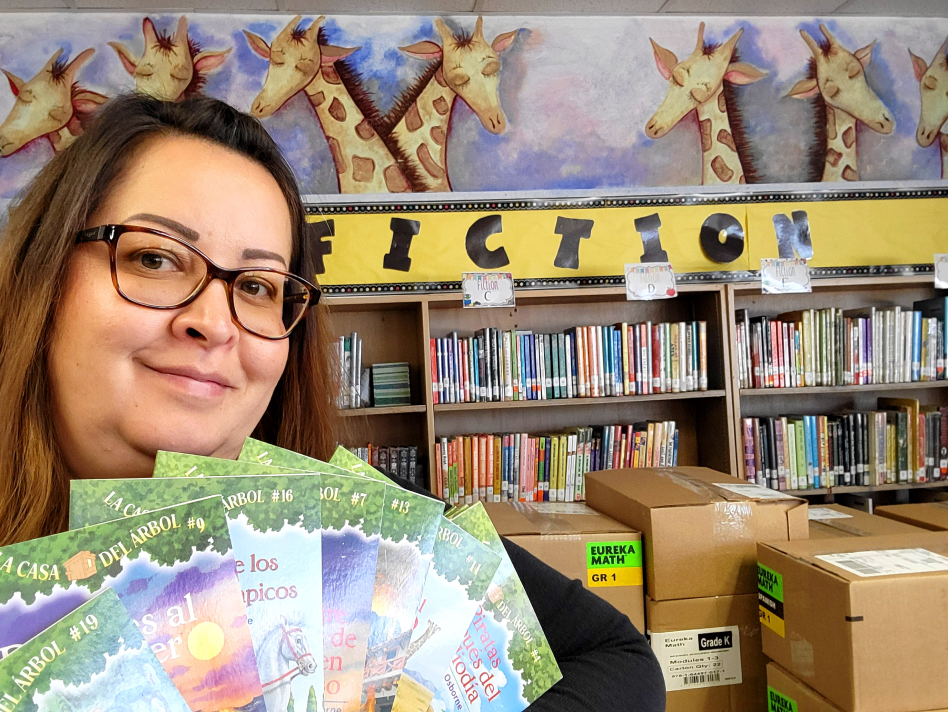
(471, 67)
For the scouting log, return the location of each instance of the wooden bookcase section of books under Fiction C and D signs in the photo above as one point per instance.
(519, 403)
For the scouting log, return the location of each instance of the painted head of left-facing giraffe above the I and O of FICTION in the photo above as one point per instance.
(696, 79)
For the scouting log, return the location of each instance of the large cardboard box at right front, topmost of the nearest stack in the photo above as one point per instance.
(860, 619)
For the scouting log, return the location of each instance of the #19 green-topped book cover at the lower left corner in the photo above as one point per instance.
(92, 659)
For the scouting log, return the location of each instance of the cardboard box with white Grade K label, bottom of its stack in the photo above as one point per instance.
(710, 652)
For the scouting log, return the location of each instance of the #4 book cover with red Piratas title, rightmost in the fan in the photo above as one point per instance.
(505, 658)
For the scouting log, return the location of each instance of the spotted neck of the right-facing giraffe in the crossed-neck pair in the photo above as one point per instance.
(422, 133)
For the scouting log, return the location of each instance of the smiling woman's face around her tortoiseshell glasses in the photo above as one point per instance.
(128, 380)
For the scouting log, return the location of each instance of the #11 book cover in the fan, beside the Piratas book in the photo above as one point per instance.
(461, 572)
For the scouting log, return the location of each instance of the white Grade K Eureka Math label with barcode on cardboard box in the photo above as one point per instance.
(690, 659)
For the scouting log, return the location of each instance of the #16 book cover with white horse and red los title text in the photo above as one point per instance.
(274, 524)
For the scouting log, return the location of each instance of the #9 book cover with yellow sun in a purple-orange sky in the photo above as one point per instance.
(174, 572)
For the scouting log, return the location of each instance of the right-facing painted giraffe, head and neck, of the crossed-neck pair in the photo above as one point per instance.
(418, 126)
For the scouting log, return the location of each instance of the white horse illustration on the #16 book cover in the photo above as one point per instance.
(283, 654)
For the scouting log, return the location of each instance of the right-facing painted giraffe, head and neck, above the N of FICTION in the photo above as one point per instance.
(837, 81)
